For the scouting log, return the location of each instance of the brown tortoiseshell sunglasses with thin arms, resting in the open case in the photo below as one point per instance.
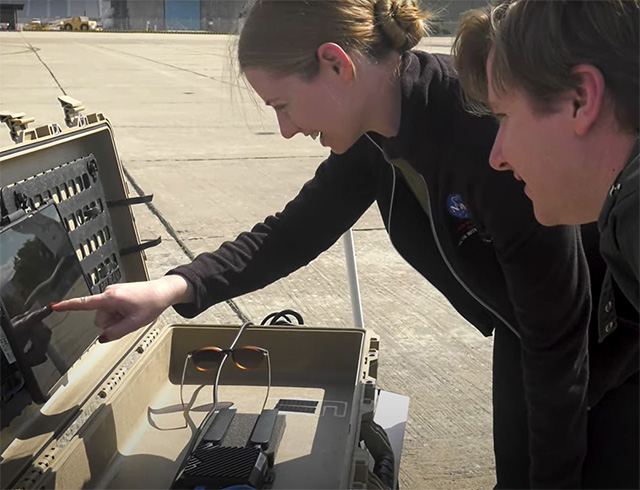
(212, 358)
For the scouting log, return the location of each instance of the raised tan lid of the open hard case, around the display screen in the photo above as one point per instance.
(88, 143)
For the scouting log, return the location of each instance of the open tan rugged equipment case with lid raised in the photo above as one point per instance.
(115, 420)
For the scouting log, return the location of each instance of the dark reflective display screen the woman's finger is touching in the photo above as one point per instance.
(38, 266)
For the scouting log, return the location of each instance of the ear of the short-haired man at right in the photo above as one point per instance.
(588, 97)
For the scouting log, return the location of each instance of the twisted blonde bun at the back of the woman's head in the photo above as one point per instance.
(401, 21)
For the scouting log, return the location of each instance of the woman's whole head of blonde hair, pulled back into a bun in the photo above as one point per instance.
(373, 28)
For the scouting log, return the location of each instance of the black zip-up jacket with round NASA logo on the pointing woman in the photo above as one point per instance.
(478, 243)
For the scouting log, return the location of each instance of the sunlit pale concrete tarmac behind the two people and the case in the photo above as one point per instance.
(191, 133)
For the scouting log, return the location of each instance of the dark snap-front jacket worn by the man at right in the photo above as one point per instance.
(614, 347)
